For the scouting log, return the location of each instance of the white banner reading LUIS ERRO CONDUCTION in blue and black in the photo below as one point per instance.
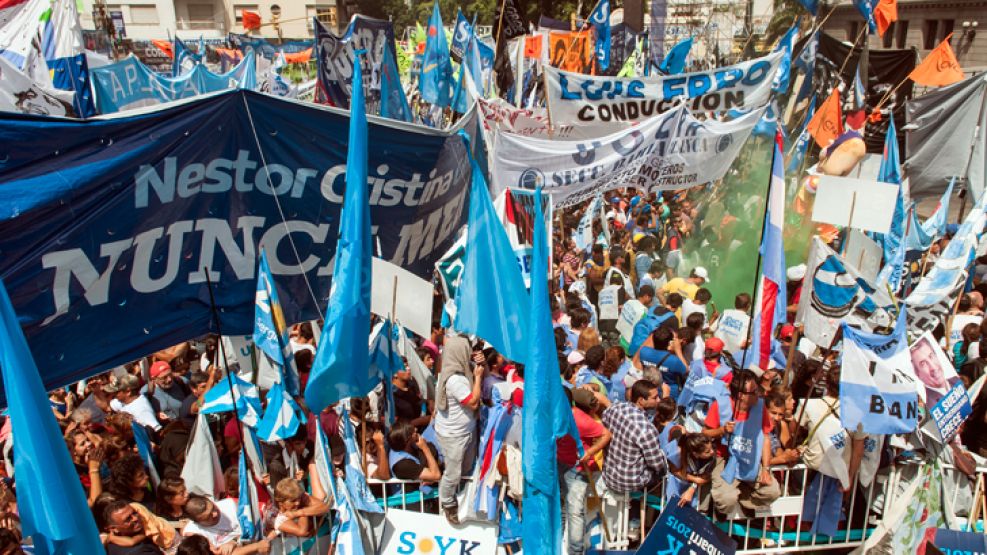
(585, 99)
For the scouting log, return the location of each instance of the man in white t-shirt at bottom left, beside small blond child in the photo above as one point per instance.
(217, 522)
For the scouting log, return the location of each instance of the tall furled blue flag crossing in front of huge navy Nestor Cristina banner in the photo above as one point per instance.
(342, 363)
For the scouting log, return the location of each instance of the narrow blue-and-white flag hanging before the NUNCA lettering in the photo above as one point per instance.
(270, 327)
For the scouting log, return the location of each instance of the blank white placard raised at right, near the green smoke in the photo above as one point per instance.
(869, 203)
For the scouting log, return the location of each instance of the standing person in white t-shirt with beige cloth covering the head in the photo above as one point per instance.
(458, 398)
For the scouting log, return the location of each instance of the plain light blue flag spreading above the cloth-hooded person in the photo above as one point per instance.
(492, 299)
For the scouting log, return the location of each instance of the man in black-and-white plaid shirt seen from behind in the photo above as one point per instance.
(635, 460)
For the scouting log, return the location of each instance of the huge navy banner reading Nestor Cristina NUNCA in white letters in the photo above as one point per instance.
(107, 226)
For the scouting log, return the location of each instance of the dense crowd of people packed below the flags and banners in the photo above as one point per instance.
(633, 321)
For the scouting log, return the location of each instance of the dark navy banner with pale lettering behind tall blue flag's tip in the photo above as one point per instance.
(335, 58)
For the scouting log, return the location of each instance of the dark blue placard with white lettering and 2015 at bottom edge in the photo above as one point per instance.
(685, 531)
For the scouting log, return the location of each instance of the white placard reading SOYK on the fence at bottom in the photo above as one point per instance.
(407, 532)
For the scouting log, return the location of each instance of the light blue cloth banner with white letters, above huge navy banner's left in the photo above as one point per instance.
(130, 84)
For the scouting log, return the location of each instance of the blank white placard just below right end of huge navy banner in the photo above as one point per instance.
(414, 297)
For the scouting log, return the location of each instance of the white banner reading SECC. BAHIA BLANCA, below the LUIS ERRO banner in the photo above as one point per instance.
(671, 151)
